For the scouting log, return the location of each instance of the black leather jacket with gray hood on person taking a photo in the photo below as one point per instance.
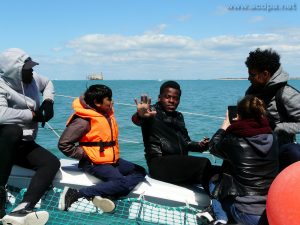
(251, 164)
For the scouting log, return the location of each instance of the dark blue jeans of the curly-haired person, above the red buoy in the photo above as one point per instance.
(288, 154)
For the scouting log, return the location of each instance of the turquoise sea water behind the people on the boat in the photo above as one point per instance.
(203, 103)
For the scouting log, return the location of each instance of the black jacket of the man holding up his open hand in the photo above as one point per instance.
(166, 134)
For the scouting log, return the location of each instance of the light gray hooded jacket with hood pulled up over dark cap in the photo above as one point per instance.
(18, 100)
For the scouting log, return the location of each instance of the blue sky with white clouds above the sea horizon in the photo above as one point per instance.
(150, 39)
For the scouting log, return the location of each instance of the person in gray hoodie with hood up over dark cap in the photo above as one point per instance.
(20, 112)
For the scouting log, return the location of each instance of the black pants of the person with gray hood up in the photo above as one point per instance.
(26, 154)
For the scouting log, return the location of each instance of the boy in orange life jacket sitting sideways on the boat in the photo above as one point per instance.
(91, 136)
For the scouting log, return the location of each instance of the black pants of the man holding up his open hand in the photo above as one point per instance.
(180, 169)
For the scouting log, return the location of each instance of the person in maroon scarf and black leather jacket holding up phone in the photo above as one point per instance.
(249, 150)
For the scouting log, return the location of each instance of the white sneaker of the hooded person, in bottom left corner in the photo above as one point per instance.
(26, 217)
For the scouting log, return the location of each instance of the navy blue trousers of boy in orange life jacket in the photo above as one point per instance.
(118, 179)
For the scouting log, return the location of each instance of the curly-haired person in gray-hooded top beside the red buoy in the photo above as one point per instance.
(269, 82)
